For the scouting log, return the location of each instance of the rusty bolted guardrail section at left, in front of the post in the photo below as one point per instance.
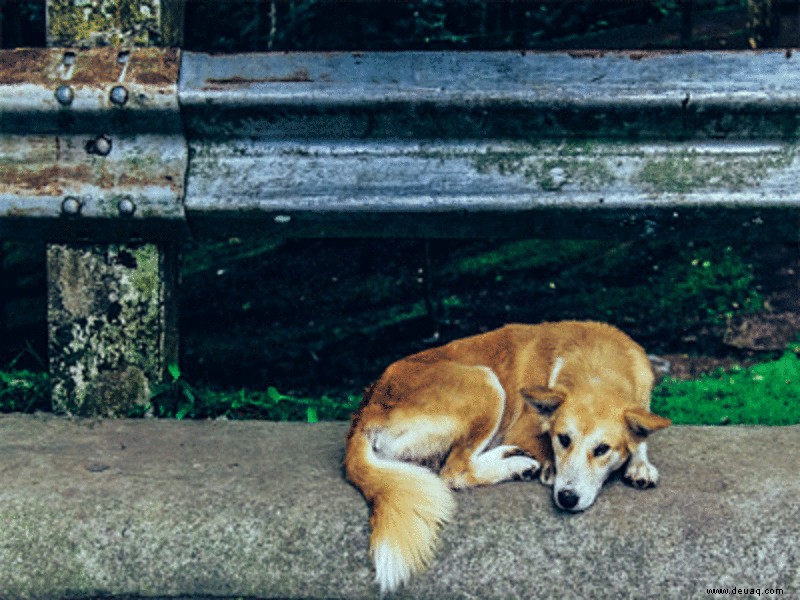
(91, 144)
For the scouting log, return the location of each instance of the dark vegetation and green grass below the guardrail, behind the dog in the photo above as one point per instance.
(293, 330)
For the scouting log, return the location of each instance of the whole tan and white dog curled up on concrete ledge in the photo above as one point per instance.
(567, 402)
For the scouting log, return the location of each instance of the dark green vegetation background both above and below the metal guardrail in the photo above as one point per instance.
(295, 329)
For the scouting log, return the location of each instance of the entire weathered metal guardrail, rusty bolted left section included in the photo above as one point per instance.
(413, 144)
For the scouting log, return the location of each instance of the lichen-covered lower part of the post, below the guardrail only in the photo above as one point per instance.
(111, 325)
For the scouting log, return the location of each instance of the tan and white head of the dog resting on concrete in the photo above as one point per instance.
(591, 435)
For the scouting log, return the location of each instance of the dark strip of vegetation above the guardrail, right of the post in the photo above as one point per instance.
(221, 25)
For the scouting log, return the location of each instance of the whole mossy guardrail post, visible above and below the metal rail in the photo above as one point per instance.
(111, 308)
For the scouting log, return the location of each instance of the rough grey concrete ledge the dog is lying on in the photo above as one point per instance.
(156, 508)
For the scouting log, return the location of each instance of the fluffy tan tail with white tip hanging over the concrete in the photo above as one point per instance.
(409, 505)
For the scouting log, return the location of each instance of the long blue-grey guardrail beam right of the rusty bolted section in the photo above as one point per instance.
(450, 144)
